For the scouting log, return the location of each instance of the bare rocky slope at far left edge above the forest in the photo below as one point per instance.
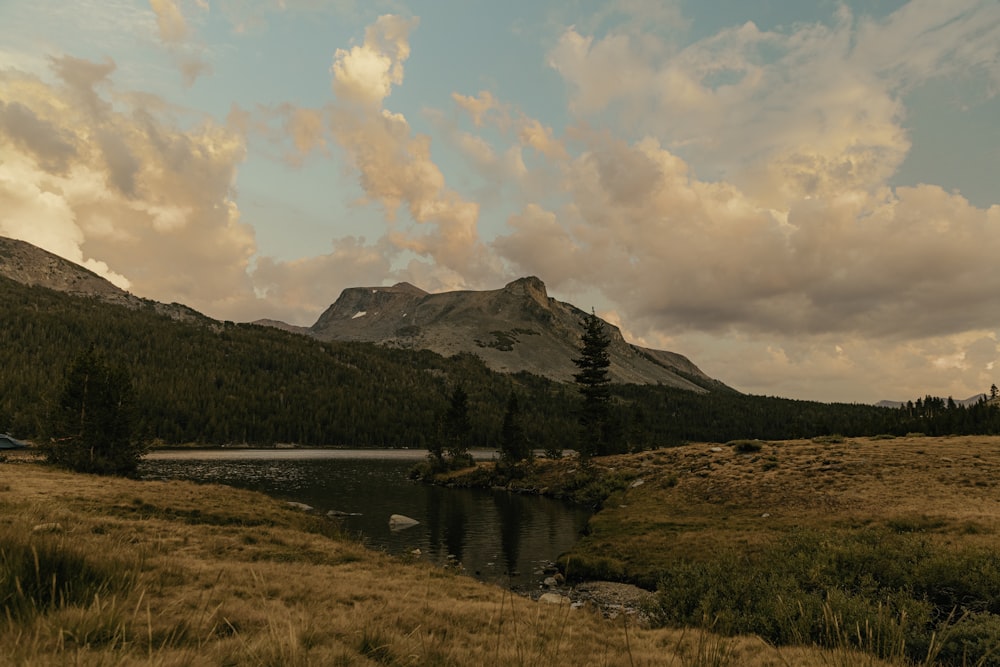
(30, 265)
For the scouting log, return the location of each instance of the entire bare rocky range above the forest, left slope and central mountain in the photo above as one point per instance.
(516, 328)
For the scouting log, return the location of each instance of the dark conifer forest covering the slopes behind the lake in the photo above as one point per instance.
(220, 383)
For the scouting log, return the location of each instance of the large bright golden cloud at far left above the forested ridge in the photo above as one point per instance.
(125, 185)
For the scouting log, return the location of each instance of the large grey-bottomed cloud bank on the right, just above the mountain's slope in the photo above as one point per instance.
(680, 253)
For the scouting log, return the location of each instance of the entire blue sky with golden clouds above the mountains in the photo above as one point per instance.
(801, 197)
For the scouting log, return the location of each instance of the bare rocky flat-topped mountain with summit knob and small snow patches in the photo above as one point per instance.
(516, 328)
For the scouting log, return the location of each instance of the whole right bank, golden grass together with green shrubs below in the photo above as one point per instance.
(885, 544)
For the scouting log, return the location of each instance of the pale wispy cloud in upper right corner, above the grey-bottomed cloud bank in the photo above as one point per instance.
(787, 114)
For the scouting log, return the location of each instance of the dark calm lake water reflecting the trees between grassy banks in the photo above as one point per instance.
(496, 536)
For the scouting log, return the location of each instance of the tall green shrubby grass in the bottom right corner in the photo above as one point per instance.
(890, 595)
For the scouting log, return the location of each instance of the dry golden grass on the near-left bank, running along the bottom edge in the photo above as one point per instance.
(97, 571)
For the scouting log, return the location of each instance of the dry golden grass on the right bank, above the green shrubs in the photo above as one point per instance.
(697, 499)
